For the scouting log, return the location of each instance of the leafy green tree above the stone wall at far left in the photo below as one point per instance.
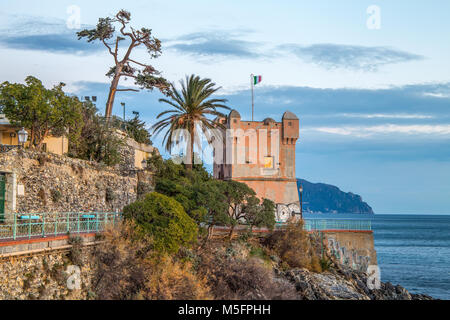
(43, 111)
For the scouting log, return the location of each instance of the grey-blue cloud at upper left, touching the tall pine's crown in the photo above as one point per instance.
(49, 35)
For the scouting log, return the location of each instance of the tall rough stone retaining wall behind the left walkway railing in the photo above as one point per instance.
(41, 182)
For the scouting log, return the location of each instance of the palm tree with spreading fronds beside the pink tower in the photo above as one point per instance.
(191, 107)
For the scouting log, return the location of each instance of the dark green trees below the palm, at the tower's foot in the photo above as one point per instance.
(211, 201)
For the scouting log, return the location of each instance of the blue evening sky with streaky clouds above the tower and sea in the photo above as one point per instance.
(369, 80)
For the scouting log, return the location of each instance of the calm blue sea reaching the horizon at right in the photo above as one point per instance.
(413, 250)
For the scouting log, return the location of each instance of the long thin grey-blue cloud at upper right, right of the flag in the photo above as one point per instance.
(352, 57)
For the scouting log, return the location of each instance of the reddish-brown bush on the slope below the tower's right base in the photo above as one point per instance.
(293, 246)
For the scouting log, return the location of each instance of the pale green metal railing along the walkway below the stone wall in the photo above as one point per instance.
(41, 225)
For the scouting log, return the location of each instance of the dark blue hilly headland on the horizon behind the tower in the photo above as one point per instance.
(325, 198)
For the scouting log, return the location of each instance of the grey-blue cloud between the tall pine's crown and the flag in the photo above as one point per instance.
(216, 43)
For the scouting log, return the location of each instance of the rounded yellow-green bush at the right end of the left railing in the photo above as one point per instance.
(165, 220)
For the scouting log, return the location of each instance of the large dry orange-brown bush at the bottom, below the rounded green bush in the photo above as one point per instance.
(126, 267)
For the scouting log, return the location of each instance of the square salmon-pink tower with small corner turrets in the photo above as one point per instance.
(261, 154)
